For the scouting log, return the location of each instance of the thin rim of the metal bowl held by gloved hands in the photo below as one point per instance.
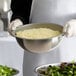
(14, 31)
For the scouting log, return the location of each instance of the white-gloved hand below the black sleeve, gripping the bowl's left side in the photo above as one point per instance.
(14, 24)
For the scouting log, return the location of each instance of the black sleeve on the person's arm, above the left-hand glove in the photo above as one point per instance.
(21, 10)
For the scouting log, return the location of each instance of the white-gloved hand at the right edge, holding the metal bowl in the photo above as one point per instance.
(70, 28)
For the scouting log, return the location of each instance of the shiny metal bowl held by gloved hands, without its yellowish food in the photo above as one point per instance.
(40, 45)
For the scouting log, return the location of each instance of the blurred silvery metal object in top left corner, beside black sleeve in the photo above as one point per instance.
(5, 14)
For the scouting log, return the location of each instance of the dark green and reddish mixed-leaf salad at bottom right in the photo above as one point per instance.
(64, 69)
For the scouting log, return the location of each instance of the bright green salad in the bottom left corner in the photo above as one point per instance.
(7, 71)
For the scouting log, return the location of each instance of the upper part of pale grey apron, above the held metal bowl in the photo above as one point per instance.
(53, 11)
